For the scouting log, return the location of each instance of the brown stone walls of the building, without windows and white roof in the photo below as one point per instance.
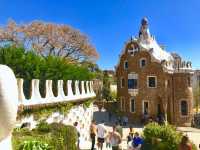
(171, 89)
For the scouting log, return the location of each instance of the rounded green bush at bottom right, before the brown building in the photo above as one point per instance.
(163, 137)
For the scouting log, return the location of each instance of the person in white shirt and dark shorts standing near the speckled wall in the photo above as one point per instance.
(101, 131)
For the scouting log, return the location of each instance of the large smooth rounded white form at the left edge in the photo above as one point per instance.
(8, 104)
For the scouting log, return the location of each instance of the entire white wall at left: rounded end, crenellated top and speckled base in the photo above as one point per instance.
(12, 97)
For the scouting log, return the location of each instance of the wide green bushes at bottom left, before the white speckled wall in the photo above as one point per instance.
(58, 137)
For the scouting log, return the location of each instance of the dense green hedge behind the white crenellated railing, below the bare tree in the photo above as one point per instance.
(29, 65)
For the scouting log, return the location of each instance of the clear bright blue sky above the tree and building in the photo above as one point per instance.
(110, 23)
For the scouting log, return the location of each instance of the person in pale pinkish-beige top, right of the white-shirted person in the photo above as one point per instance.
(115, 139)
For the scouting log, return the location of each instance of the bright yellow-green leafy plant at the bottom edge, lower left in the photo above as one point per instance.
(34, 145)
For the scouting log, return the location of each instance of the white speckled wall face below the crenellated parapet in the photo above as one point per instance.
(78, 114)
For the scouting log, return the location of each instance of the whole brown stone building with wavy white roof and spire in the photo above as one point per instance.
(153, 82)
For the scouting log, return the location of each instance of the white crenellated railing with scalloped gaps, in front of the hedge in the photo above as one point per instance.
(82, 92)
